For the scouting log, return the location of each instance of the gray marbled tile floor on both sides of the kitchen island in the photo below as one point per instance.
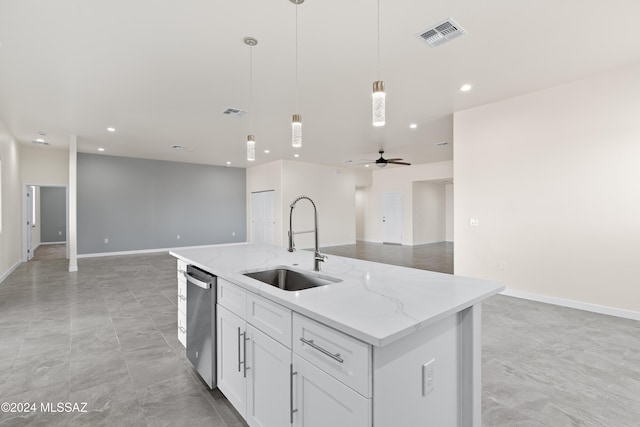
(107, 336)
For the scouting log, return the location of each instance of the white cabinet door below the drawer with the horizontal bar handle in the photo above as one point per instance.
(321, 400)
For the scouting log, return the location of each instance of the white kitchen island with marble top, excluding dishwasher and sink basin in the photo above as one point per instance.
(385, 346)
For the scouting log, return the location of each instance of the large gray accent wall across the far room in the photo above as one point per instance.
(140, 204)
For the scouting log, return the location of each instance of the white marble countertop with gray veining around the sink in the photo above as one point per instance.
(376, 303)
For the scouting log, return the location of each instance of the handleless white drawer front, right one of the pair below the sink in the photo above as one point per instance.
(271, 318)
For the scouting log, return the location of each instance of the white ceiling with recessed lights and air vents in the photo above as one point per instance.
(162, 72)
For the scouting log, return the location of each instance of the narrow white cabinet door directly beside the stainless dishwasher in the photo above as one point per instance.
(230, 341)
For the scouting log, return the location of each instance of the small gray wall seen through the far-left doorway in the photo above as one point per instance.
(53, 214)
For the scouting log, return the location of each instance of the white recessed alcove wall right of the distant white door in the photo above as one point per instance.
(429, 213)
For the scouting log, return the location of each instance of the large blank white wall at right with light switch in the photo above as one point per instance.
(554, 180)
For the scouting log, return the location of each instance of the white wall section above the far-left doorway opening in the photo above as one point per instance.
(45, 166)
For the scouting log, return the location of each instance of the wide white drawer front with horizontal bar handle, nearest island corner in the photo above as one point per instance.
(341, 356)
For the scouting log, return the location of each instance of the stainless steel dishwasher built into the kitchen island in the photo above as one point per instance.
(201, 323)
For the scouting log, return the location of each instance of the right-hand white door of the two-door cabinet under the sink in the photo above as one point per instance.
(268, 384)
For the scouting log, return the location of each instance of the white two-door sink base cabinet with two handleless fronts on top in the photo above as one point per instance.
(253, 364)
